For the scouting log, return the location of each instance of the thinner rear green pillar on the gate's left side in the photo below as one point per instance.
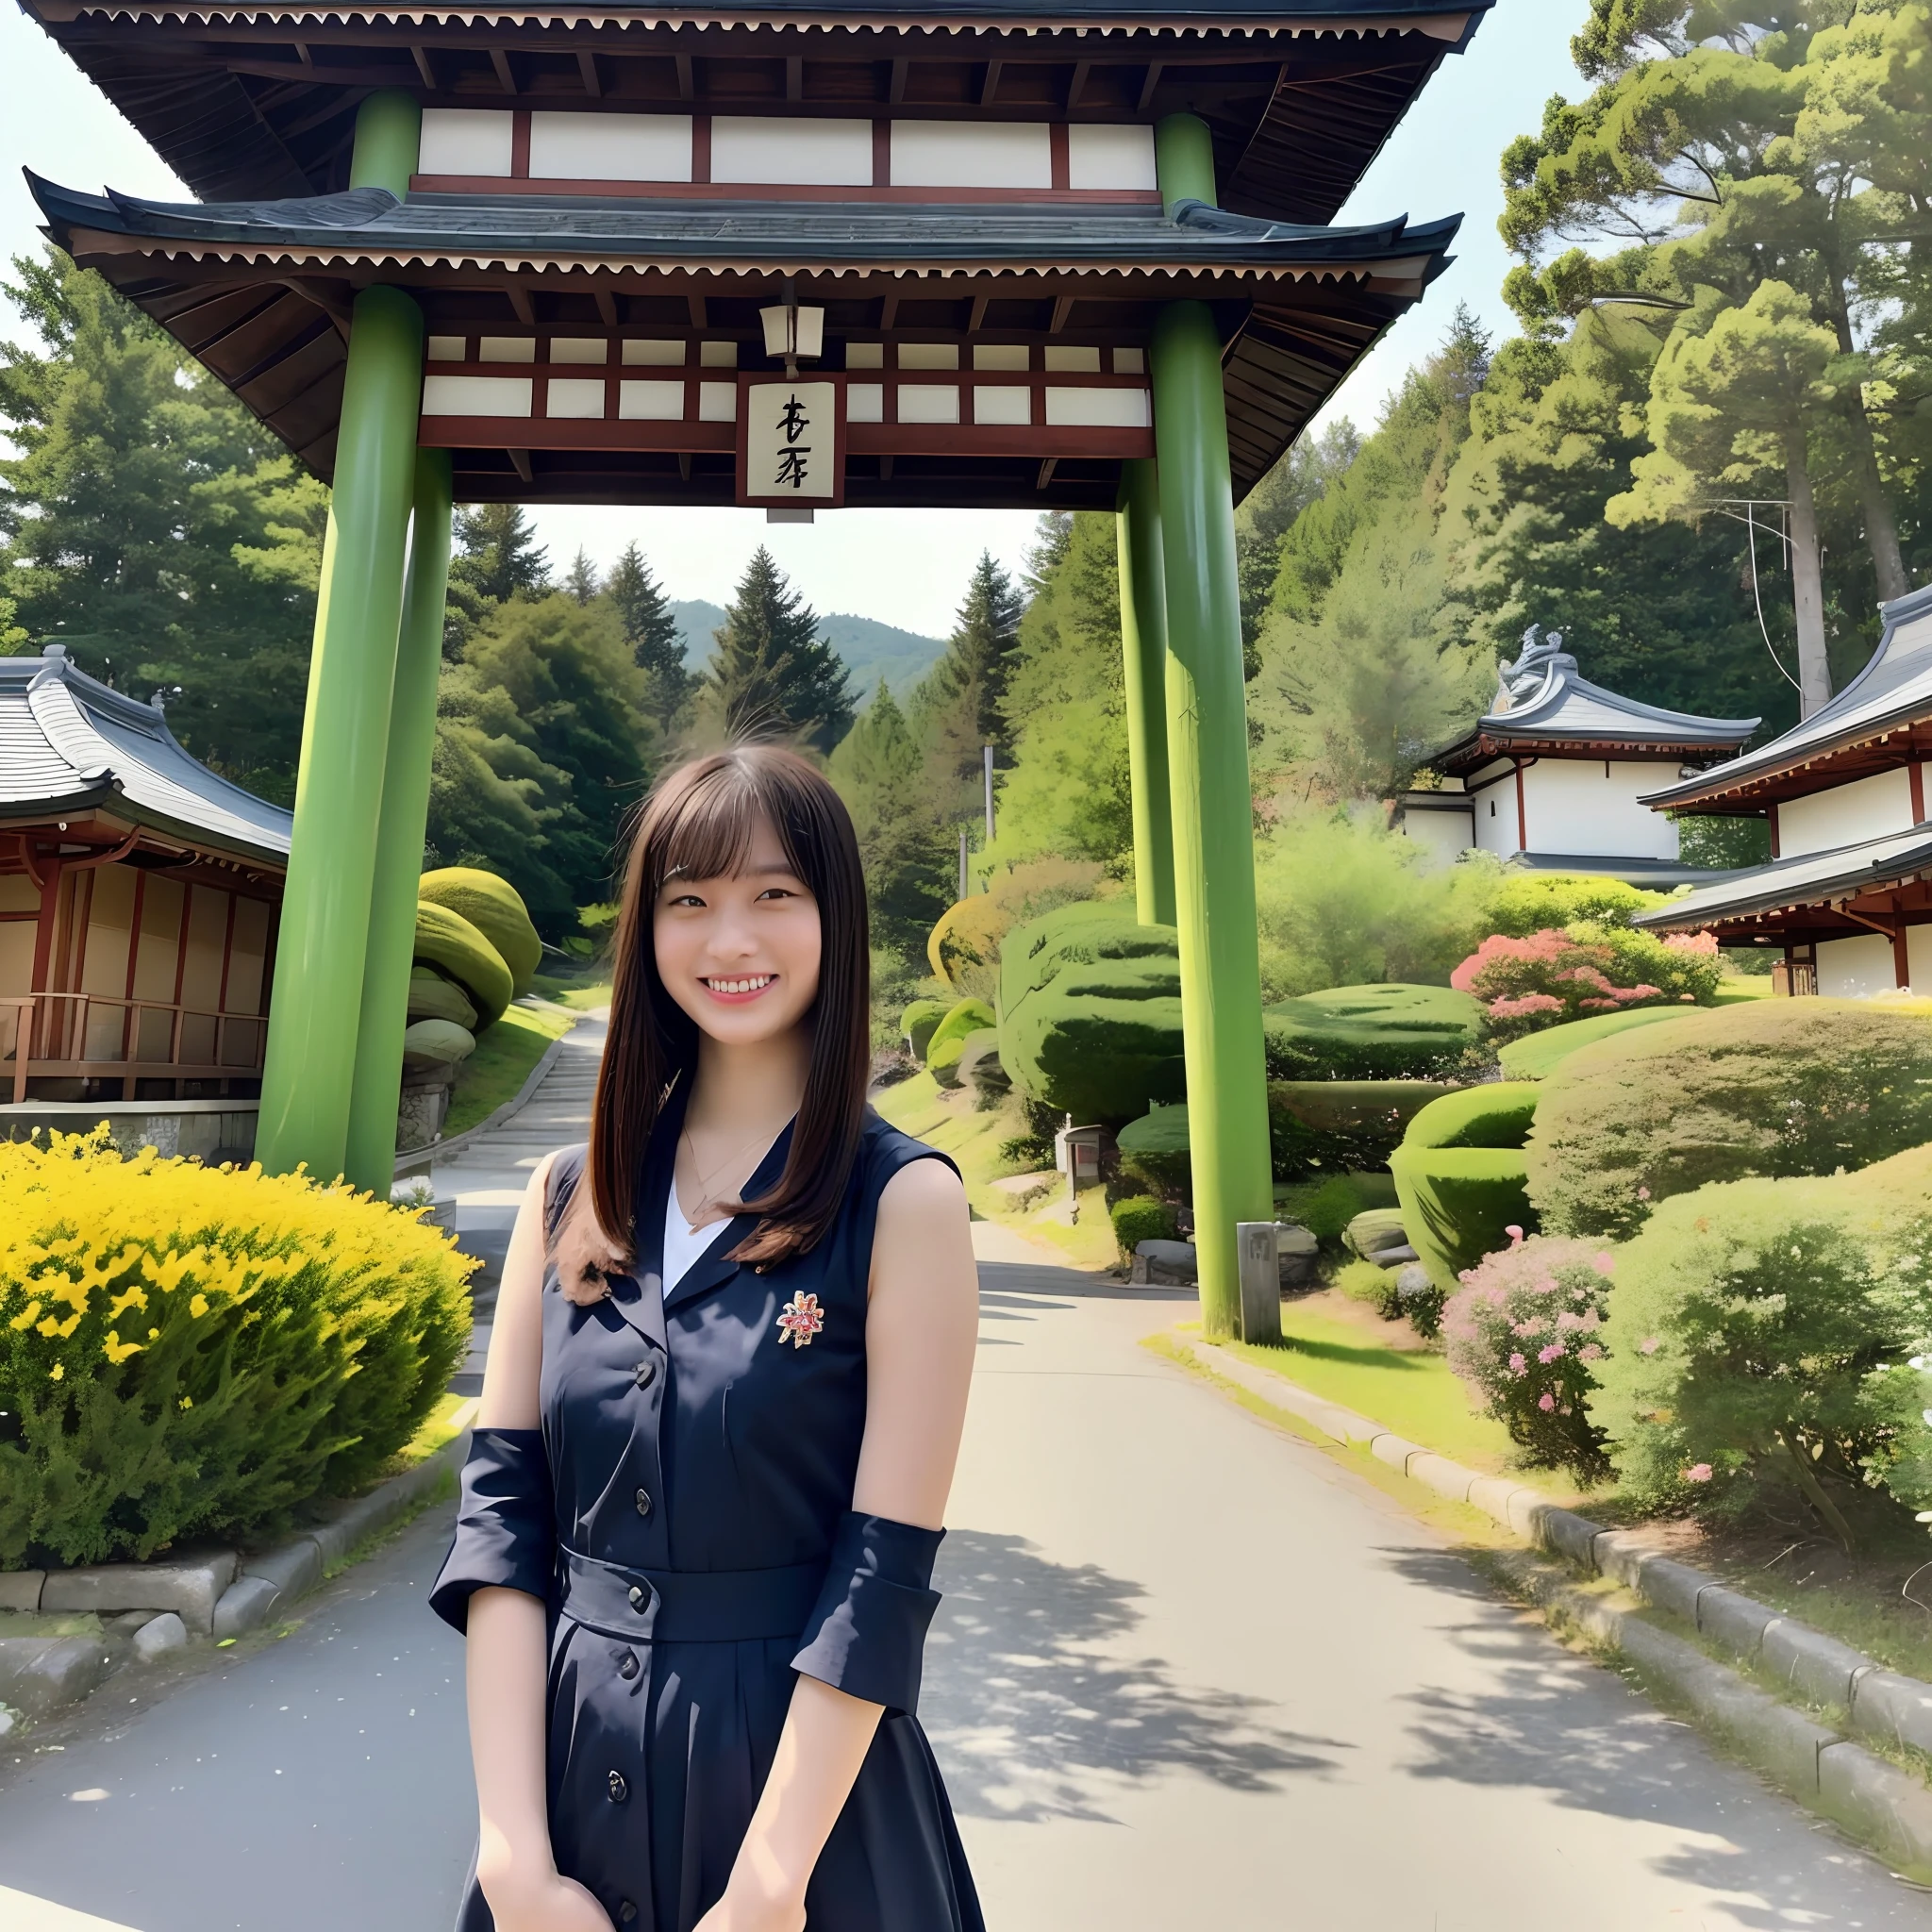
(399, 849)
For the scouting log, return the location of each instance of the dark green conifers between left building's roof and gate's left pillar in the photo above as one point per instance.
(154, 528)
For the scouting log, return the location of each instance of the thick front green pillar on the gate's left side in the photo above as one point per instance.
(316, 1008)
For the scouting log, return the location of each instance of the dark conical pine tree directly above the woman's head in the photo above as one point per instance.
(774, 675)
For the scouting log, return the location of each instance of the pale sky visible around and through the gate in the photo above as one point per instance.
(907, 567)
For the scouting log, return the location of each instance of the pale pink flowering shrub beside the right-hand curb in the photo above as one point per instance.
(1523, 1332)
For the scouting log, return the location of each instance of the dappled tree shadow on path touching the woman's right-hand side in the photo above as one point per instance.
(1033, 1705)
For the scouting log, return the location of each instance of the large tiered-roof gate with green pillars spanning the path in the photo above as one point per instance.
(1029, 254)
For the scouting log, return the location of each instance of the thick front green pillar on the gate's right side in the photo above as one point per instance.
(1208, 768)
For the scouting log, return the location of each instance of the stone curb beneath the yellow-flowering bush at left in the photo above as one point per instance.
(215, 1595)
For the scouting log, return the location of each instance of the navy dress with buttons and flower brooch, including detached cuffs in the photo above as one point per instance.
(687, 1516)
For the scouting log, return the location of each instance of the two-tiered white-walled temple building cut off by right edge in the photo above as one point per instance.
(1848, 895)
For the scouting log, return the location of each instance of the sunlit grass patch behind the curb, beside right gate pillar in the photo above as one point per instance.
(1409, 1392)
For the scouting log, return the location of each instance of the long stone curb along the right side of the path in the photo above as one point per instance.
(1883, 1805)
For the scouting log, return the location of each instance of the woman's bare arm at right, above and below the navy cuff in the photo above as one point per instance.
(921, 1336)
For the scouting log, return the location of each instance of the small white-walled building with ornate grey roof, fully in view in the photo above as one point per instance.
(1554, 776)
